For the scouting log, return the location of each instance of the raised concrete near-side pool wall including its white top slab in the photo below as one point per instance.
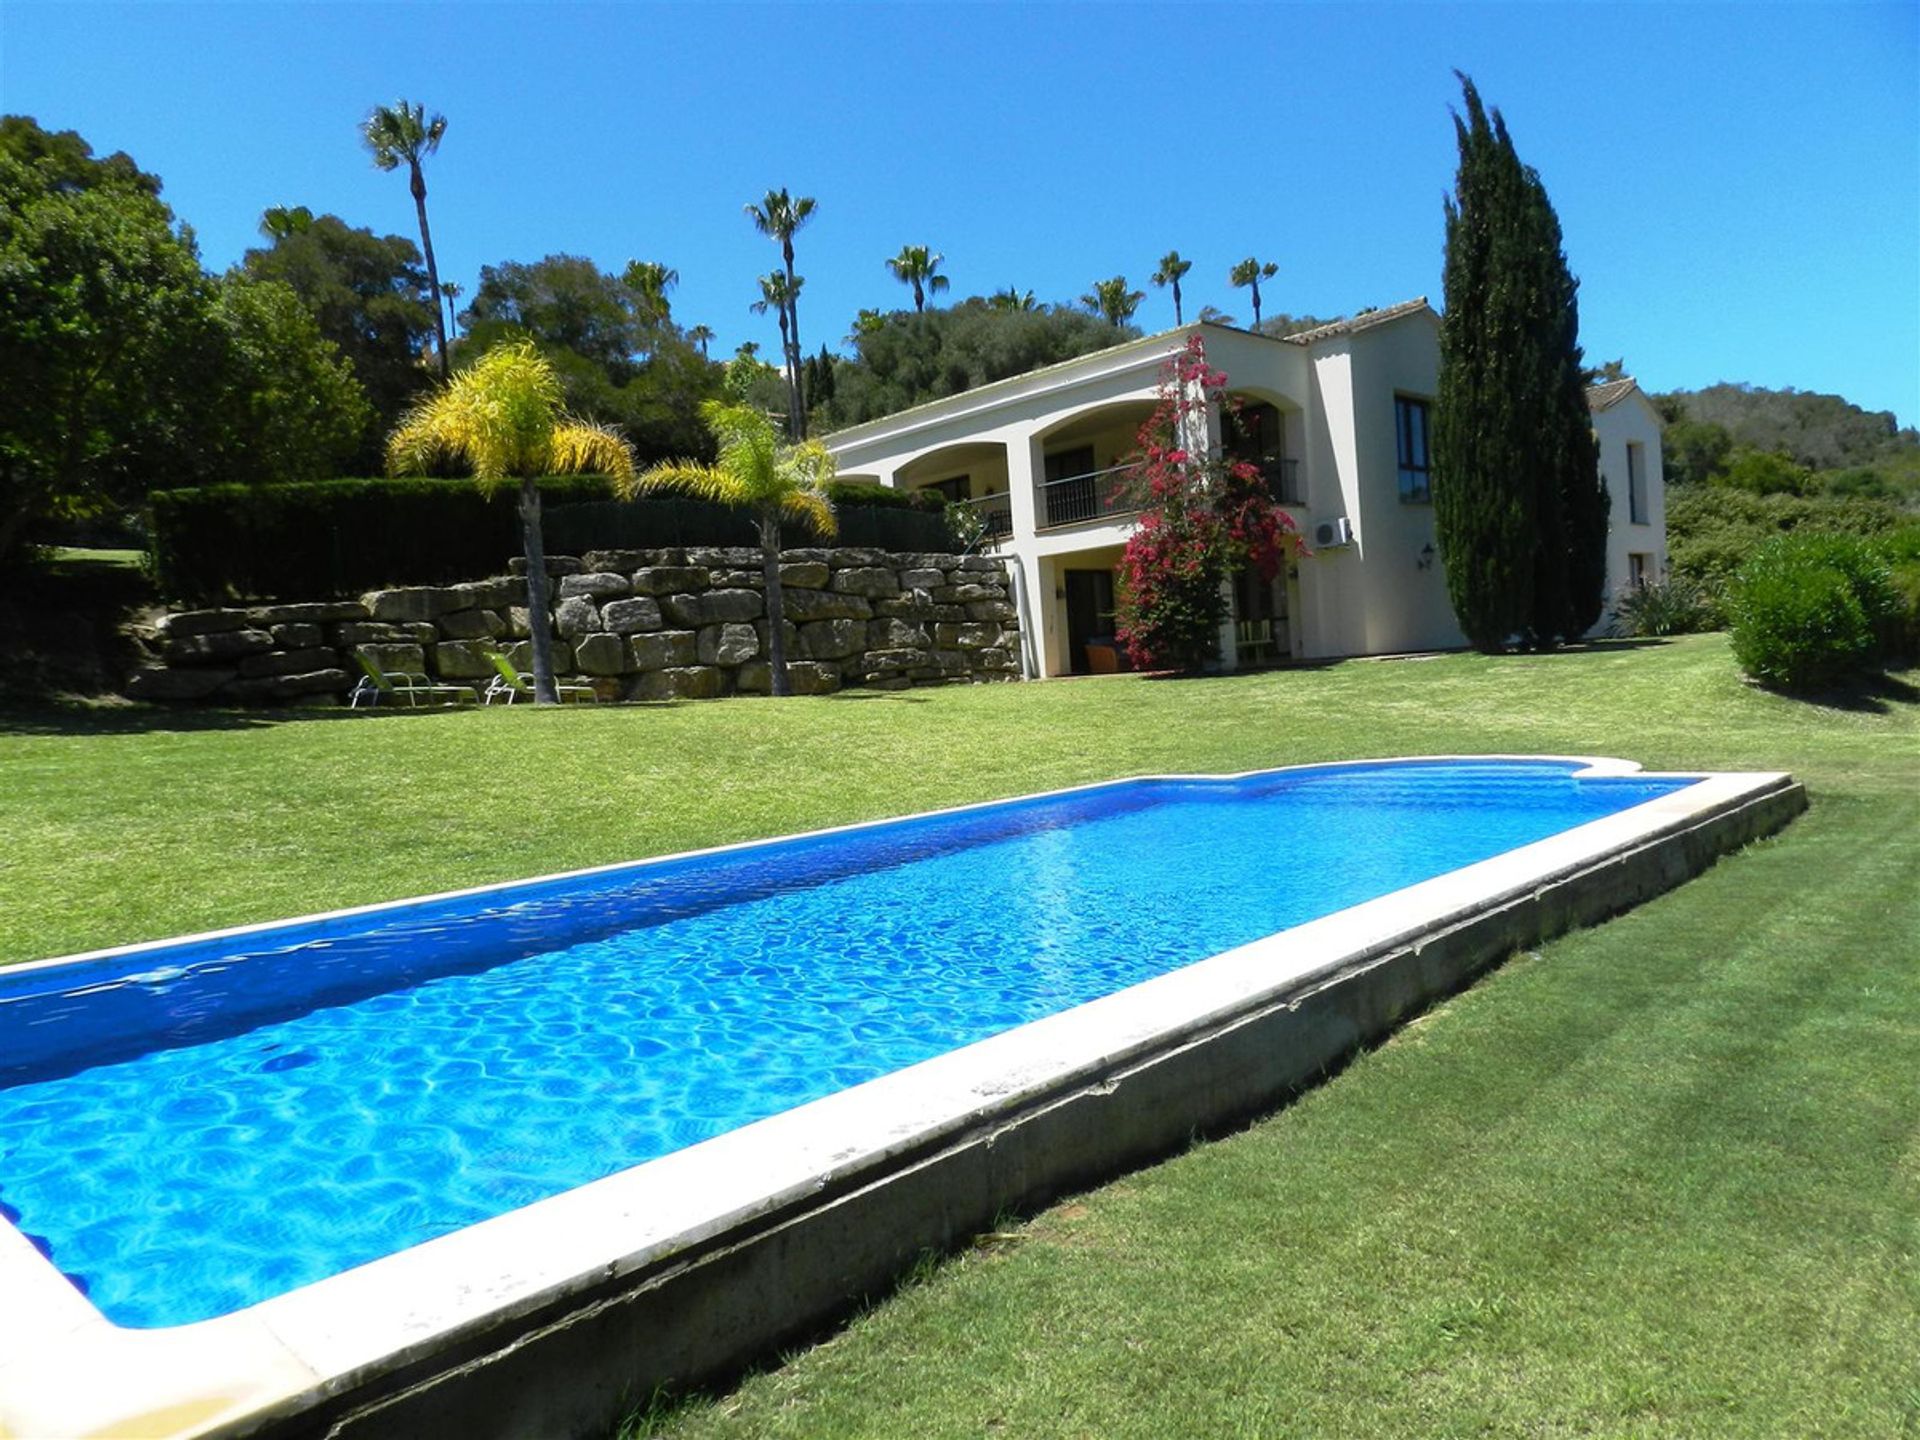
(556, 1318)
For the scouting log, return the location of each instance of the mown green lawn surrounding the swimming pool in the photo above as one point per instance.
(1662, 1178)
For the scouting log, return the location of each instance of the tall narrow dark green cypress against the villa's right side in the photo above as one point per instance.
(1518, 502)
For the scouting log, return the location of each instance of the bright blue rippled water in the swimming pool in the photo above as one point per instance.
(203, 1126)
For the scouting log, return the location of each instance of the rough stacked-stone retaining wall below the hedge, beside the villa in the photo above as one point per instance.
(633, 625)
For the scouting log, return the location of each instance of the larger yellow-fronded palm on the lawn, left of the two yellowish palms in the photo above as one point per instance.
(502, 418)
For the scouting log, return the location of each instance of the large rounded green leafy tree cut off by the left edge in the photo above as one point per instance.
(105, 318)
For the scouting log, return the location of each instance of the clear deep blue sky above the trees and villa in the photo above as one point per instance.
(1739, 183)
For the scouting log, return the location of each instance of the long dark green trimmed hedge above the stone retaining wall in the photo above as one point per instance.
(329, 539)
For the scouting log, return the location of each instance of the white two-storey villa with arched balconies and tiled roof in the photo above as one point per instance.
(1339, 420)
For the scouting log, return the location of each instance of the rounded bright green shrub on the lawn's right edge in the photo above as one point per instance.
(1813, 610)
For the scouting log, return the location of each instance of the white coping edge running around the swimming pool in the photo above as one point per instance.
(66, 1370)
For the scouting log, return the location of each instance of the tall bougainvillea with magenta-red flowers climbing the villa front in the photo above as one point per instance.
(1203, 517)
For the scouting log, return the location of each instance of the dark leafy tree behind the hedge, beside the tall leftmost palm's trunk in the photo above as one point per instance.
(368, 297)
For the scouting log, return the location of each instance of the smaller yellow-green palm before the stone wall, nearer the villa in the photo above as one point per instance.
(757, 473)
